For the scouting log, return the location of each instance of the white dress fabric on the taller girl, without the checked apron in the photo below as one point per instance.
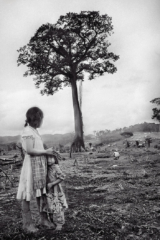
(25, 188)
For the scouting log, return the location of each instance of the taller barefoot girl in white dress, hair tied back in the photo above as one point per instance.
(33, 174)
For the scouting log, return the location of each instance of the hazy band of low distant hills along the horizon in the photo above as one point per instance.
(105, 136)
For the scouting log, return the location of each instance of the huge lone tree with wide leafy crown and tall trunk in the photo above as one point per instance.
(60, 54)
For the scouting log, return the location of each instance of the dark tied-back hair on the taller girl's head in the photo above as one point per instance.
(34, 117)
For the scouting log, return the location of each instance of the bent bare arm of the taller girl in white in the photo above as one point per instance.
(35, 152)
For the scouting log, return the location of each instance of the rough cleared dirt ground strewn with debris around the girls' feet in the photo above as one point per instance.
(108, 199)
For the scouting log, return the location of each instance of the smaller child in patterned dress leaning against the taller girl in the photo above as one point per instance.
(55, 202)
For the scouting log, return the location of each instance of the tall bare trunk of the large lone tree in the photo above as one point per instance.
(78, 139)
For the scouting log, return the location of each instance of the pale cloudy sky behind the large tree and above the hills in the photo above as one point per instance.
(108, 102)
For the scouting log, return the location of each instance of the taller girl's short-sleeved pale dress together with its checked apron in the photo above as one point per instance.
(34, 170)
